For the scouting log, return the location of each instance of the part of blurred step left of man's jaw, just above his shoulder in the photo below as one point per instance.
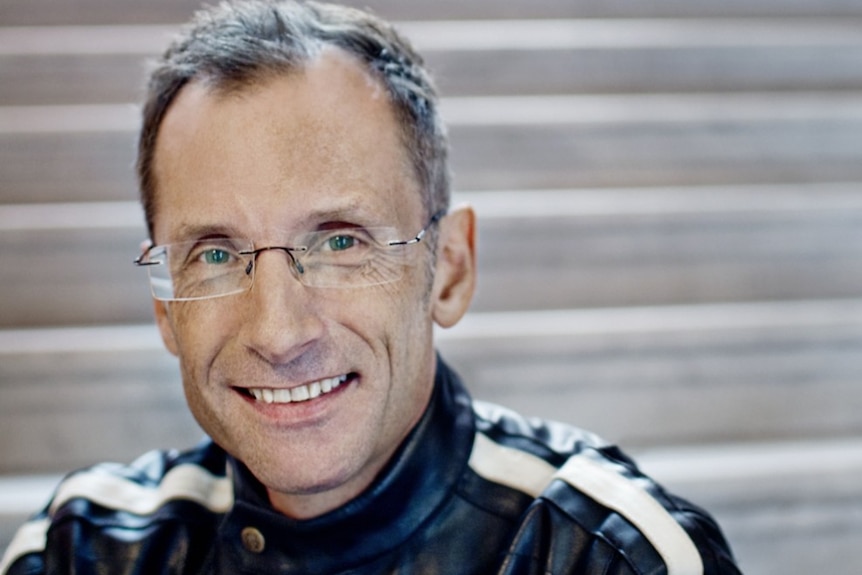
(110, 404)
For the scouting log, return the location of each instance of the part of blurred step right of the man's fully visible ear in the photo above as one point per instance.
(604, 248)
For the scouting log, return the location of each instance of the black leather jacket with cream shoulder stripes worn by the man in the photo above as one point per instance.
(475, 489)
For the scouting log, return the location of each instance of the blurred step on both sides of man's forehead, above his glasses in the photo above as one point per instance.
(81, 153)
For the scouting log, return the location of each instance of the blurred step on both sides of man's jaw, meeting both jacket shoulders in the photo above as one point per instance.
(644, 377)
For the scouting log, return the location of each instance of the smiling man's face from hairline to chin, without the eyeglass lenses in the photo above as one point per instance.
(302, 152)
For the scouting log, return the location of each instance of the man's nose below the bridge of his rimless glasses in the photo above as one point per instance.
(282, 321)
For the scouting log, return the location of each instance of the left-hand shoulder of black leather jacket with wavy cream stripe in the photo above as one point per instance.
(123, 500)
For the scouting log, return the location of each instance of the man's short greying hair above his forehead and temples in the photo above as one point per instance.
(242, 42)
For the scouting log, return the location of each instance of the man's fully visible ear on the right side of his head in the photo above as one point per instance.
(455, 276)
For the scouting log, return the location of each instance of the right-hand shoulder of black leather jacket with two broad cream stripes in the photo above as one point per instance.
(590, 498)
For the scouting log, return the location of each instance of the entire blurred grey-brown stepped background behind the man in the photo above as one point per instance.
(670, 237)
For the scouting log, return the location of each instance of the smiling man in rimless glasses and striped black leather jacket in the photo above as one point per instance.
(293, 170)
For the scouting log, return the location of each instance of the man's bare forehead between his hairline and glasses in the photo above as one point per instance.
(318, 139)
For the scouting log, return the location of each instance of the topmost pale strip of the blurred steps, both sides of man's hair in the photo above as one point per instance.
(477, 35)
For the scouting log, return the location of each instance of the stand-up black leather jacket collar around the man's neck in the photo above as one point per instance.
(413, 486)
